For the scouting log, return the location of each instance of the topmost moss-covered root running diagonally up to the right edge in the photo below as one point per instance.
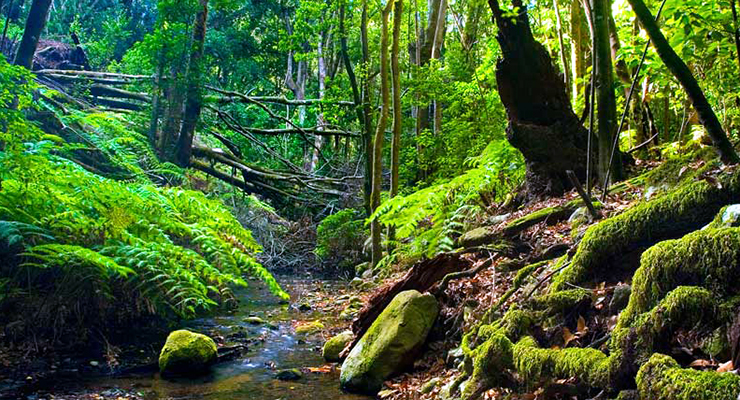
(676, 213)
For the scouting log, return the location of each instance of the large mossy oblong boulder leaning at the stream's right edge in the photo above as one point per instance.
(391, 342)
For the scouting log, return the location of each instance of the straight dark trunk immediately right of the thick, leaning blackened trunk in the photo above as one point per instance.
(606, 101)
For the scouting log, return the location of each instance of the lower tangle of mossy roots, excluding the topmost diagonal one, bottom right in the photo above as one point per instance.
(660, 305)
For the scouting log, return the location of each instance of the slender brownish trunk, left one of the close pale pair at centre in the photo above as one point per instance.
(380, 135)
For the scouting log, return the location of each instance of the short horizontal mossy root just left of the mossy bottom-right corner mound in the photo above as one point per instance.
(533, 363)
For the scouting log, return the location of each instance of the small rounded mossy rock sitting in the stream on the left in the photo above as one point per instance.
(187, 353)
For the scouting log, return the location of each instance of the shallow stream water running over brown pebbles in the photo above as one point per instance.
(252, 376)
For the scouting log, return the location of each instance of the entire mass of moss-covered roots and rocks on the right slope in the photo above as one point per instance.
(685, 286)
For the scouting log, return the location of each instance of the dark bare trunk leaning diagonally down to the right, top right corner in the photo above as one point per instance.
(678, 68)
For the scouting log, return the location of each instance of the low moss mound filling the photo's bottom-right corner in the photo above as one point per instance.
(661, 378)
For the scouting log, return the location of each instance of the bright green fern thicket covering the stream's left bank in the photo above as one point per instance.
(87, 230)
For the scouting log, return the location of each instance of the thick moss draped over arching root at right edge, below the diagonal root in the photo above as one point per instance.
(709, 258)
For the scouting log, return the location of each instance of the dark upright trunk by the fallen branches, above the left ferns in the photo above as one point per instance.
(194, 100)
